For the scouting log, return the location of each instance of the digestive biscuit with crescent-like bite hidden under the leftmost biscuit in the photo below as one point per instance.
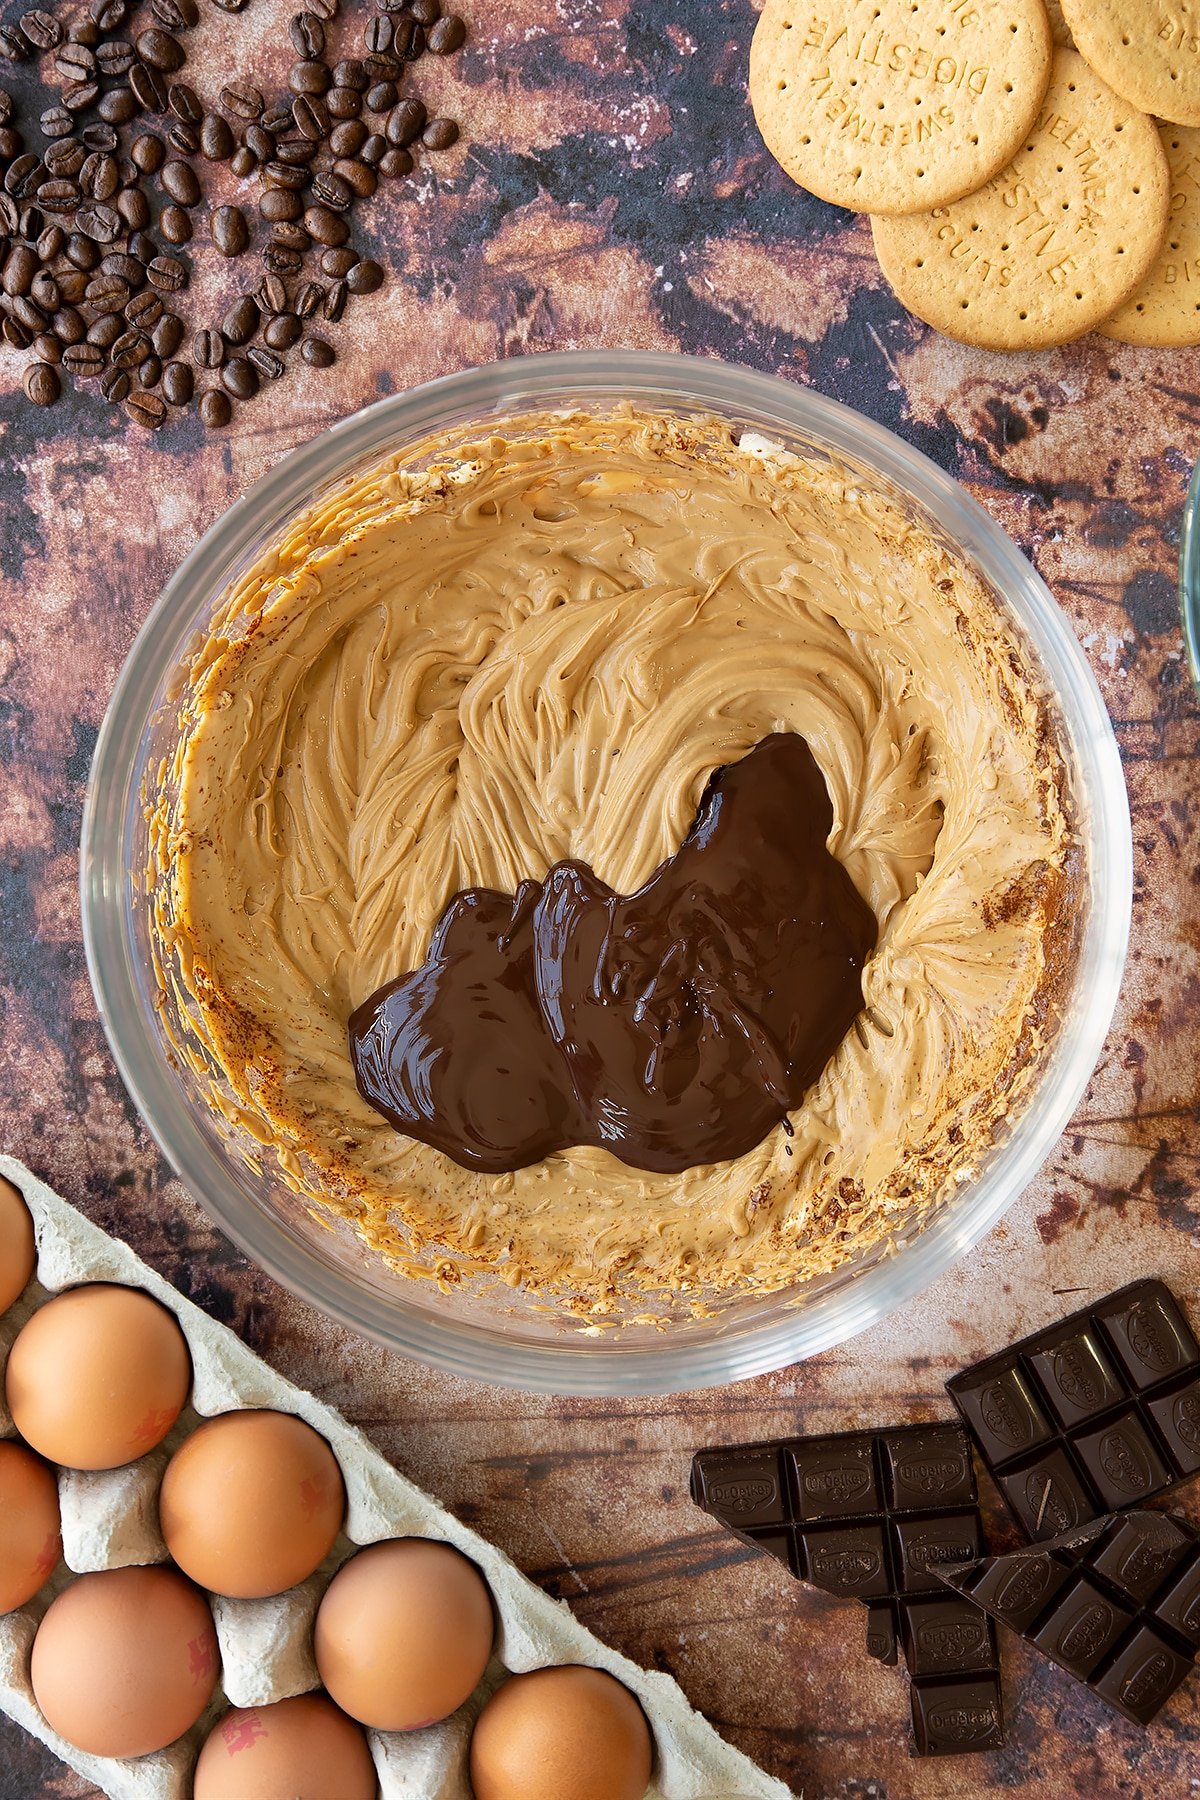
(1057, 242)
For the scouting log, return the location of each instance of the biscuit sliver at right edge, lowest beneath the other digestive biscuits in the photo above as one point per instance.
(1167, 309)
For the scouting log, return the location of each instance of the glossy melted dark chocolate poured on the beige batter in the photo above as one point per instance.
(674, 1027)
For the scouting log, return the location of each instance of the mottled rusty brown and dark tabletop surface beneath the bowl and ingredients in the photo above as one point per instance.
(616, 193)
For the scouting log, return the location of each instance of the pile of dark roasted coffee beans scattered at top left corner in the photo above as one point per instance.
(102, 199)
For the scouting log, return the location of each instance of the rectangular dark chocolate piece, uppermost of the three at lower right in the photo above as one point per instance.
(1089, 1416)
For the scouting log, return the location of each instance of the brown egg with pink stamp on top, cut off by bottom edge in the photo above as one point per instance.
(296, 1750)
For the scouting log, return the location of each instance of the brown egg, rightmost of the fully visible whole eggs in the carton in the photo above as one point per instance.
(404, 1633)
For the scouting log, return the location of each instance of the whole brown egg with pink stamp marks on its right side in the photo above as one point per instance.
(127, 1660)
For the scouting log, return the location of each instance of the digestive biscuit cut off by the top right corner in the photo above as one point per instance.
(1151, 55)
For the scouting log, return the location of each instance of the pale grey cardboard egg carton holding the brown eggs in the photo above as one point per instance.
(111, 1520)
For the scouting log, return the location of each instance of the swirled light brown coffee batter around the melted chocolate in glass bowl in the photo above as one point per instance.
(505, 654)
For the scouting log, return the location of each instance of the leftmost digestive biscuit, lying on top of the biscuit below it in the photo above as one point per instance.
(897, 105)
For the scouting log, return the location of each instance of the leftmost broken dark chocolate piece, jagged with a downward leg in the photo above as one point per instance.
(872, 1516)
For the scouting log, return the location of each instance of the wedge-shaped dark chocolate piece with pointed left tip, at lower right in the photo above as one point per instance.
(1116, 1605)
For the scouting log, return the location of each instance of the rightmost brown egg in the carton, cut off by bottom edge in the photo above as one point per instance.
(562, 1734)
